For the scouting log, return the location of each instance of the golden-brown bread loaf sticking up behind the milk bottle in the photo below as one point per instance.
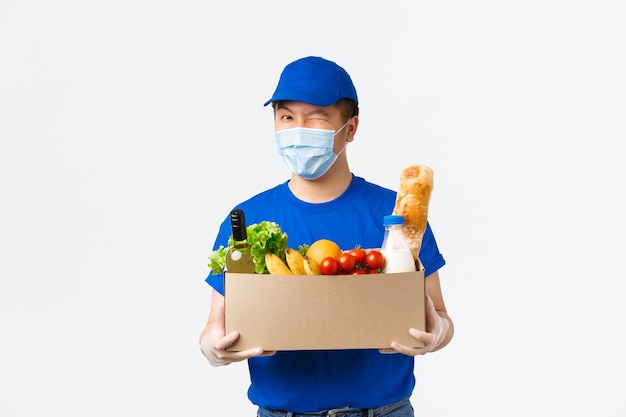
(412, 200)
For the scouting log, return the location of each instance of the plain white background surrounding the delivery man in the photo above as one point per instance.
(129, 128)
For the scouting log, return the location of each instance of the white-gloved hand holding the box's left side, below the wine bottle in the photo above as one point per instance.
(214, 344)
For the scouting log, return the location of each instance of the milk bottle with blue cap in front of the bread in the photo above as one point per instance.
(395, 248)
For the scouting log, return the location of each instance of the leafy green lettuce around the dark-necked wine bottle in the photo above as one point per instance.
(262, 237)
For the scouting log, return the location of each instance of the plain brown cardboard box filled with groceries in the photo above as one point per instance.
(287, 312)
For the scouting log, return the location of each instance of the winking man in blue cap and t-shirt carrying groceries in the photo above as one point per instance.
(316, 108)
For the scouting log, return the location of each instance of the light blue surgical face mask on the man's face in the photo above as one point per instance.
(308, 152)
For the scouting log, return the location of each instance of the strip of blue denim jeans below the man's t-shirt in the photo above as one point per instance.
(402, 408)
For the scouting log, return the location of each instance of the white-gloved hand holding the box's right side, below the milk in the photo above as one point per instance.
(436, 330)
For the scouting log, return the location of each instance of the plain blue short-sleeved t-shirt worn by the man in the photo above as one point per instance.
(310, 381)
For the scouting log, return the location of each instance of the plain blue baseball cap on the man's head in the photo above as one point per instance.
(314, 80)
